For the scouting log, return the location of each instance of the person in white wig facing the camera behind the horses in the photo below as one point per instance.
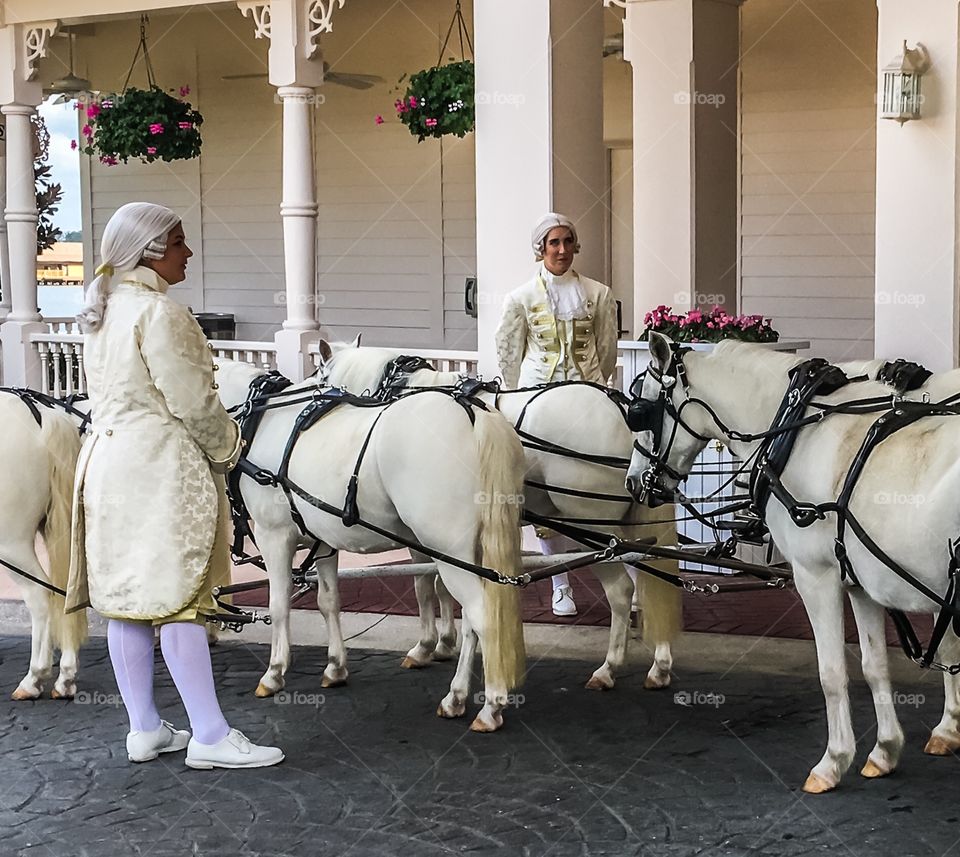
(559, 326)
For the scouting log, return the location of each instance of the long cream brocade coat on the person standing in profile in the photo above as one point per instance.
(146, 502)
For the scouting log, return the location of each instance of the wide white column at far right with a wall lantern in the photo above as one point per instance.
(917, 184)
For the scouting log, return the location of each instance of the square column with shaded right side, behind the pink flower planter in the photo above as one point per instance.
(684, 55)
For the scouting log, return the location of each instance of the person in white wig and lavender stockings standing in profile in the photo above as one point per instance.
(149, 508)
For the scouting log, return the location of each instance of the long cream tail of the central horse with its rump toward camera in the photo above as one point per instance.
(501, 483)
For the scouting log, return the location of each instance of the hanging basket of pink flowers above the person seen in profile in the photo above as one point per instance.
(149, 124)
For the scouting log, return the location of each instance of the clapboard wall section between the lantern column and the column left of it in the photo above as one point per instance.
(808, 170)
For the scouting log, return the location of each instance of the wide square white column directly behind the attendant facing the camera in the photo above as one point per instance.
(539, 141)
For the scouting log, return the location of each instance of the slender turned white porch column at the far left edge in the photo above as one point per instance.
(21, 362)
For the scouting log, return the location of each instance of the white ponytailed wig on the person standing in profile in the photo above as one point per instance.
(137, 231)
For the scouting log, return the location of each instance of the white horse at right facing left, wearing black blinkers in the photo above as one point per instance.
(743, 386)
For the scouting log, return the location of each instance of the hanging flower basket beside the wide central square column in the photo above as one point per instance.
(439, 101)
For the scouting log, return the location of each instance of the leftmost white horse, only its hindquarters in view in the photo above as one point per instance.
(38, 462)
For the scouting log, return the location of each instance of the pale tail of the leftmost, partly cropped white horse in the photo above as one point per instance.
(62, 441)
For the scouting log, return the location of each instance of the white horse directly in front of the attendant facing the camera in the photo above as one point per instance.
(578, 417)
